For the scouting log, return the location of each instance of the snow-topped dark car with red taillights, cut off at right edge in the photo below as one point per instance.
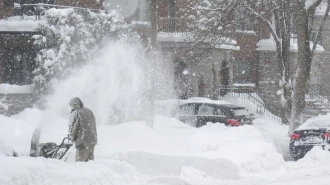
(314, 132)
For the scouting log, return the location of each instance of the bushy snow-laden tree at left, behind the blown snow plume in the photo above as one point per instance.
(69, 38)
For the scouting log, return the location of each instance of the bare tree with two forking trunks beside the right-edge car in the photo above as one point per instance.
(302, 12)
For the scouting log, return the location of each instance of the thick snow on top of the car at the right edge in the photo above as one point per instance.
(322, 121)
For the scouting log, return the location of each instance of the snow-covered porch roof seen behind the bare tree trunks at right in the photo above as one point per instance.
(270, 45)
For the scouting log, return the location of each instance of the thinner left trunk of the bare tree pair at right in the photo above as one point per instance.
(276, 15)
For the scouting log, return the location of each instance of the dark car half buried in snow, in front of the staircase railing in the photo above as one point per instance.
(199, 113)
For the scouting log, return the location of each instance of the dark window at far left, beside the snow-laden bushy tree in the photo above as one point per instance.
(19, 64)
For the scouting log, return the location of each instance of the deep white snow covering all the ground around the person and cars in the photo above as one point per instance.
(171, 154)
